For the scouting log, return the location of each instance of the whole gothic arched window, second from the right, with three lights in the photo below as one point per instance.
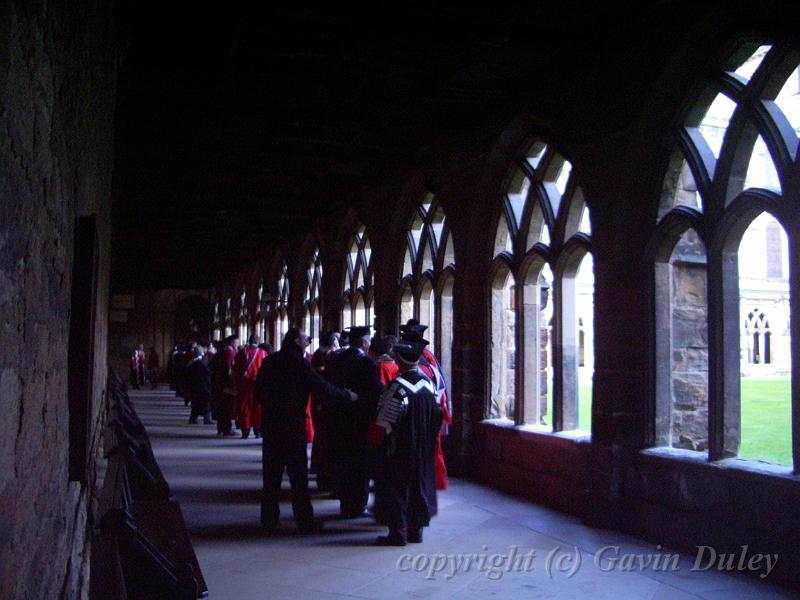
(542, 272)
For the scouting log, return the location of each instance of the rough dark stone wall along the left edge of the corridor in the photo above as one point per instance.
(57, 90)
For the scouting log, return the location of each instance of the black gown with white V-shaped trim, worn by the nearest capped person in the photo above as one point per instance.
(406, 487)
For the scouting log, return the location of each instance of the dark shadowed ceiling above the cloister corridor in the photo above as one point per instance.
(235, 129)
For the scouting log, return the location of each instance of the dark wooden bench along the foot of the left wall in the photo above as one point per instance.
(142, 549)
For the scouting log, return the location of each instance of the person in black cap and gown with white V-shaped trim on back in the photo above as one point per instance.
(411, 417)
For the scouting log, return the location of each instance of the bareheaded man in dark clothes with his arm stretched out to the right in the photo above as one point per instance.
(283, 384)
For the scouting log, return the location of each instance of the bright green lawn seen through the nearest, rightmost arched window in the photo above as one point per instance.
(767, 420)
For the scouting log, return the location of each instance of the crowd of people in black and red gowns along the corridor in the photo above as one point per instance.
(374, 409)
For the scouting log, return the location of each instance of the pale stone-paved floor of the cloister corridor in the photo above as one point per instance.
(482, 544)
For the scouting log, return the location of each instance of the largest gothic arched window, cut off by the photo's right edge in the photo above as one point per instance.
(730, 191)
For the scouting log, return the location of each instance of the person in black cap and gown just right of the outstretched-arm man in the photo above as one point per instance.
(354, 369)
